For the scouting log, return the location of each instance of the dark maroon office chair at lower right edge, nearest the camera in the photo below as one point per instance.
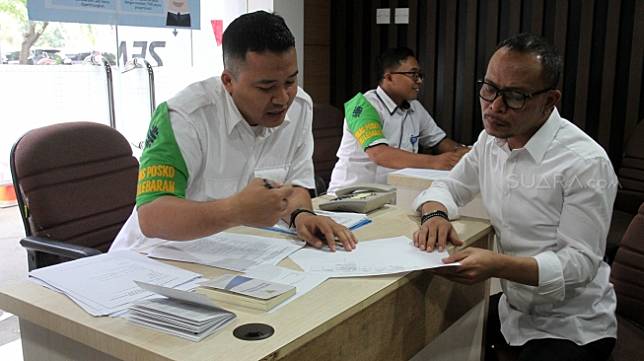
(627, 276)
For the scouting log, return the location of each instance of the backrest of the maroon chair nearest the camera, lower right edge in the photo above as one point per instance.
(627, 273)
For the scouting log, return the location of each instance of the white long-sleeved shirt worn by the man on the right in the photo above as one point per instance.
(551, 200)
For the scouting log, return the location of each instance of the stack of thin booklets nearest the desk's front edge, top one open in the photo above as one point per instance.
(185, 314)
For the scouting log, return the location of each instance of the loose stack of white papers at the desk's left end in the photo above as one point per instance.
(104, 284)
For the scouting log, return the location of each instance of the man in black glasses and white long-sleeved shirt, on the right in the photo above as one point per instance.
(549, 191)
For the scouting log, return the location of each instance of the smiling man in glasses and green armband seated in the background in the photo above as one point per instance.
(385, 127)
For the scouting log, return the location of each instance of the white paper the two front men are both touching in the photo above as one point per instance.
(376, 257)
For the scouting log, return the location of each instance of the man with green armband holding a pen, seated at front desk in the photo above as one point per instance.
(235, 150)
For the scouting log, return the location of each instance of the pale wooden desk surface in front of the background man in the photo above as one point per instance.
(408, 187)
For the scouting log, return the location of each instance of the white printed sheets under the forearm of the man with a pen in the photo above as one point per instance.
(231, 251)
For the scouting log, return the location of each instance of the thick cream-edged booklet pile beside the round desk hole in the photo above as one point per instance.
(247, 292)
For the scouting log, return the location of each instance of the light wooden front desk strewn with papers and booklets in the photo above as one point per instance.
(376, 318)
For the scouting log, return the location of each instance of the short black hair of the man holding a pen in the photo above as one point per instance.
(259, 32)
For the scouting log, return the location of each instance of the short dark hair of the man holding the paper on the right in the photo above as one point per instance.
(534, 44)
